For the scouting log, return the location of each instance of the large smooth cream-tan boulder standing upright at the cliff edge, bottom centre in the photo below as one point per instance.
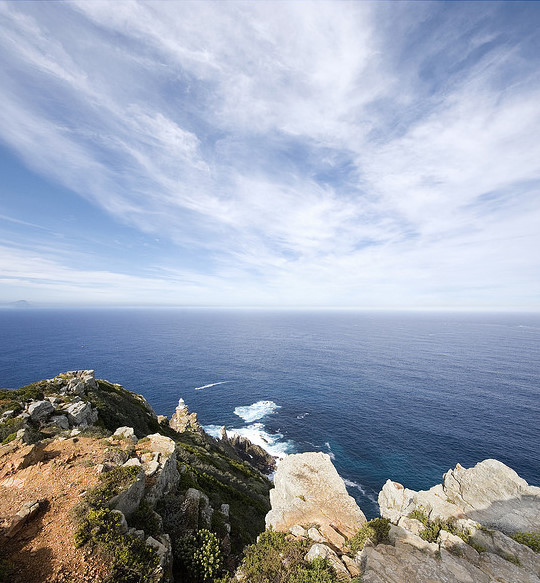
(308, 490)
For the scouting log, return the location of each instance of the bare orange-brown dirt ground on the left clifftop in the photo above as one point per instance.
(43, 551)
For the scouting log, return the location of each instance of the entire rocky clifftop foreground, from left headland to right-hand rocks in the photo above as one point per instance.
(94, 486)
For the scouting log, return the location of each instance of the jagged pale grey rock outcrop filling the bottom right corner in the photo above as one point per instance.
(455, 541)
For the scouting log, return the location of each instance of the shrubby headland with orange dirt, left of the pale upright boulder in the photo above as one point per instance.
(94, 486)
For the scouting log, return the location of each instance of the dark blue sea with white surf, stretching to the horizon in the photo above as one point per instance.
(389, 395)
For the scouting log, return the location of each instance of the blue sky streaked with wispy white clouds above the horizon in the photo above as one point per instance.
(283, 154)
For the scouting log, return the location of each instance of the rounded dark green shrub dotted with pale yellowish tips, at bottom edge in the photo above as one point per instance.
(199, 556)
